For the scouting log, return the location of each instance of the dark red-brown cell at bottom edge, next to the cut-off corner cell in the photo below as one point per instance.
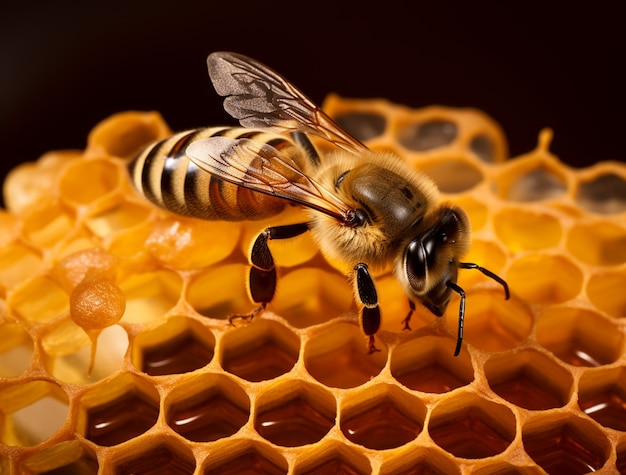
(564, 443)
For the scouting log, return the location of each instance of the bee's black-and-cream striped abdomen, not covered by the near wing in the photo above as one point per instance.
(166, 177)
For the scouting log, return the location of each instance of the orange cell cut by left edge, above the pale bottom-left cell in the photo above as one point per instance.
(16, 349)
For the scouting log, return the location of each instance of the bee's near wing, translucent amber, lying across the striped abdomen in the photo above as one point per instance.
(261, 167)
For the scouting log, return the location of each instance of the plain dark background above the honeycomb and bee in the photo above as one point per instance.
(64, 66)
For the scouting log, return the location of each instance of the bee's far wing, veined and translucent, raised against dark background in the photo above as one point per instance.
(260, 98)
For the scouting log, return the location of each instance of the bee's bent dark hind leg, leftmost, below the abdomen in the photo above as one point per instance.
(262, 275)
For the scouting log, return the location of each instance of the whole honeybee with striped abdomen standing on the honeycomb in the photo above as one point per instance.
(366, 209)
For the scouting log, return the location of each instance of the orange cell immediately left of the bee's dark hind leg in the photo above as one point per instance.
(219, 291)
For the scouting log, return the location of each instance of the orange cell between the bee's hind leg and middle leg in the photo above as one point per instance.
(309, 296)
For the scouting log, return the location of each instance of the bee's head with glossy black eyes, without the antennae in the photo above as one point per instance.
(431, 259)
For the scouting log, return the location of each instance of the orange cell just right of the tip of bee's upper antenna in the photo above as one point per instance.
(545, 278)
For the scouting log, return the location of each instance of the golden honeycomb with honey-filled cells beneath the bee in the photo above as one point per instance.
(116, 354)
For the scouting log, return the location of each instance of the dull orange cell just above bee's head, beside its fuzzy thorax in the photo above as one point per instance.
(453, 175)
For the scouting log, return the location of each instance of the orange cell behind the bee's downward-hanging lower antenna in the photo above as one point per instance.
(492, 323)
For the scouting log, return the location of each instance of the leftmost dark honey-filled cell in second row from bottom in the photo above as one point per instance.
(118, 410)
